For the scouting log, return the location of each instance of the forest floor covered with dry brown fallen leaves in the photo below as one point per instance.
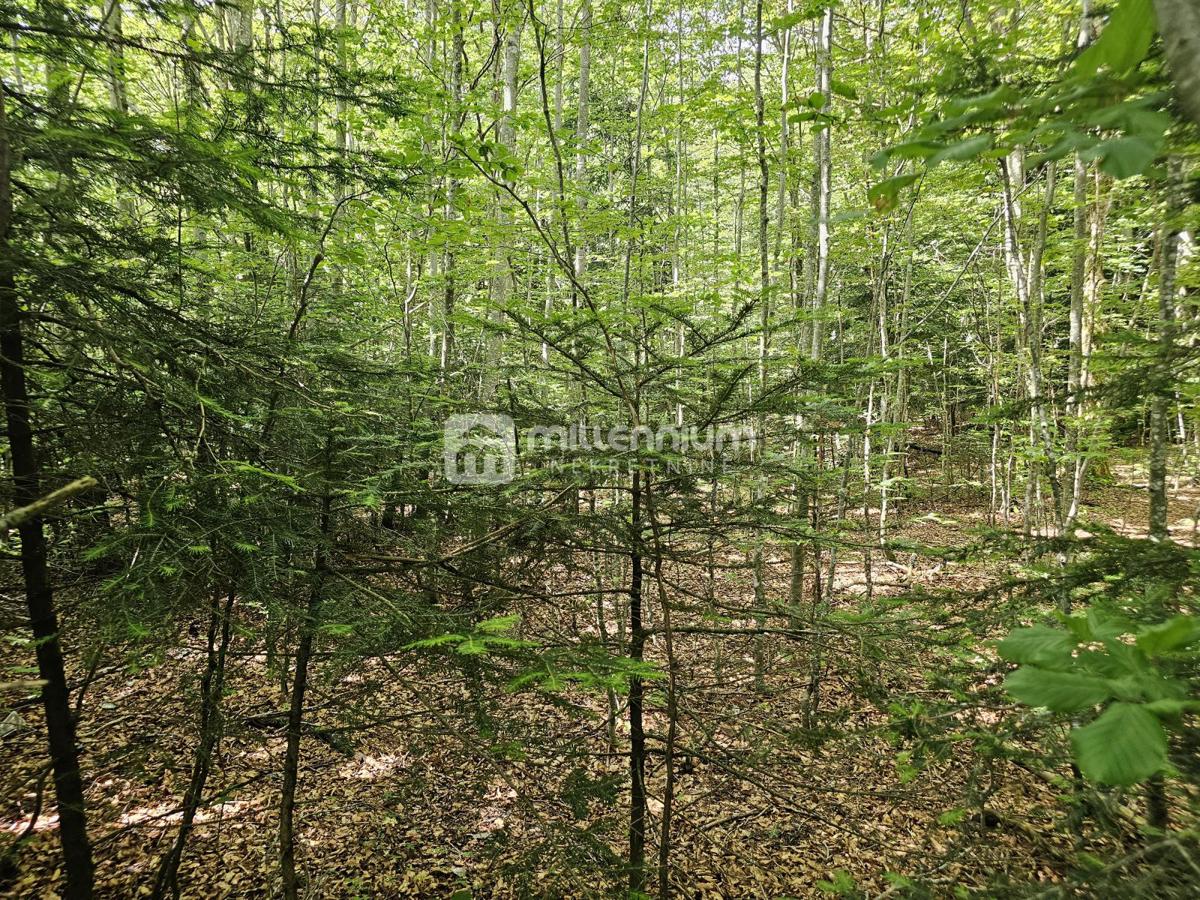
(415, 803)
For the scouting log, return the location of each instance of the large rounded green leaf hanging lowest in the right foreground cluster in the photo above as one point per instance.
(1125, 746)
